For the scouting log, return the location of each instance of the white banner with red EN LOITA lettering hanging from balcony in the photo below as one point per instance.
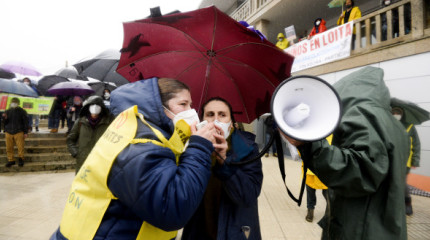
(329, 46)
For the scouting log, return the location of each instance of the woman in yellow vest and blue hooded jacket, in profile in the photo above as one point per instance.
(147, 174)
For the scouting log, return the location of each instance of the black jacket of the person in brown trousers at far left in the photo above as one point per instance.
(16, 121)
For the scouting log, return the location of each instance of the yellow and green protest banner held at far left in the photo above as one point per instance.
(38, 106)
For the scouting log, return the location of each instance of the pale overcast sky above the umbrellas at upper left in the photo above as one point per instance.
(47, 33)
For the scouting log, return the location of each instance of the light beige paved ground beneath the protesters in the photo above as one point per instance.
(31, 205)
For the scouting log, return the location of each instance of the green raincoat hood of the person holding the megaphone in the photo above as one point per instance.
(364, 86)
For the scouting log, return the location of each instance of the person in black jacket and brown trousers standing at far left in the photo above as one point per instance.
(16, 129)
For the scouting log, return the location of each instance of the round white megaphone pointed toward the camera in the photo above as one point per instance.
(306, 108)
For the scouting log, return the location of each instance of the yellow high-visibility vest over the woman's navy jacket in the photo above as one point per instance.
(90, 196)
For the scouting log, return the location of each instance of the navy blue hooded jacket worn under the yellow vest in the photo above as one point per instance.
(145, 178)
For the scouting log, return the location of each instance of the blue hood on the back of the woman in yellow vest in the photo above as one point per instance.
(146, 95)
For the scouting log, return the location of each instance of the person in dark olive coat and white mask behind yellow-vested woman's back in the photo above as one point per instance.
(94, 118)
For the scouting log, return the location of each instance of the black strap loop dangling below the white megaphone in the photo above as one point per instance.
(280, 150)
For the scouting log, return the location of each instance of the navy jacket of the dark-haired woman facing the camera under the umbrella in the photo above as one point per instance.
(238, 205)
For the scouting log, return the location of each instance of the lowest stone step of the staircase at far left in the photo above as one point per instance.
(40, 166)
